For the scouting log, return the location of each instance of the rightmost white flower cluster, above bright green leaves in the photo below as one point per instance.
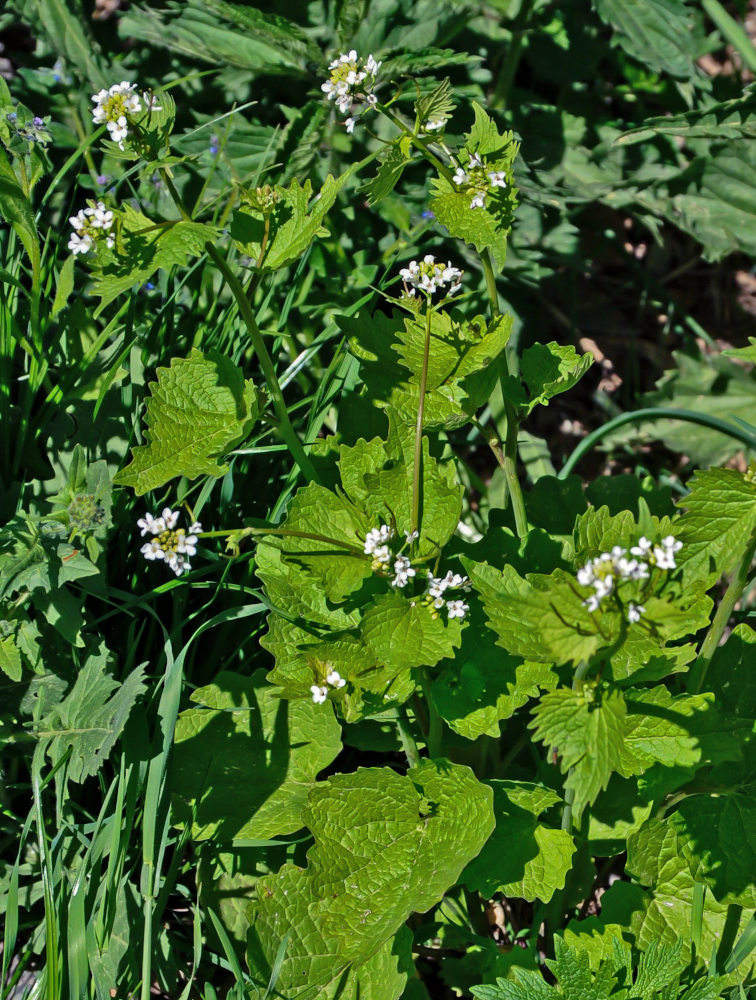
(606, 571)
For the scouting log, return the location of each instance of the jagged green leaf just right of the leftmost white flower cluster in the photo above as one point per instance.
(143, 248)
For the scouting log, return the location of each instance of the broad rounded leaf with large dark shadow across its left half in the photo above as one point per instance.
(243, 728)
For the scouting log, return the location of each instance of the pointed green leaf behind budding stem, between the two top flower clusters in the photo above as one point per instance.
(277, 239)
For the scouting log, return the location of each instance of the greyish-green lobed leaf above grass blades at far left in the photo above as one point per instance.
(90, 718)
